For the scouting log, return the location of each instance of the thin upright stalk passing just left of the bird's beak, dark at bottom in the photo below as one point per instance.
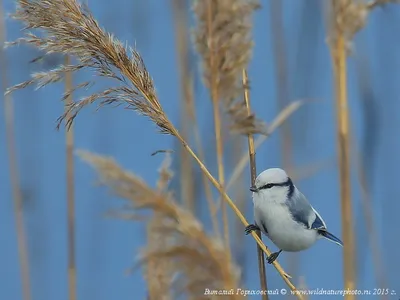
(253, 174)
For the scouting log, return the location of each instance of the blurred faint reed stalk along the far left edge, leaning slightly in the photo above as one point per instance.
(13, 169)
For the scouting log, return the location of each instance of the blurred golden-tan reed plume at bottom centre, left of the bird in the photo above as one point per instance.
(180, 255)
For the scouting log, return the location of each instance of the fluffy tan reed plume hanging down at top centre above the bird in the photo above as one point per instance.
(223, 39)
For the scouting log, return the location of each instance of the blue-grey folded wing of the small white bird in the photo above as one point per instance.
(301, 210)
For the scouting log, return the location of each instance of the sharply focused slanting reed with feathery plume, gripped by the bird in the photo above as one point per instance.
(71, 29)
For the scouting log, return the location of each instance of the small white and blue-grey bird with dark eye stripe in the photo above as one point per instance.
(284, 214)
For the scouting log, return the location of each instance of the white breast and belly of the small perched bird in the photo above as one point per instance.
(283, 231)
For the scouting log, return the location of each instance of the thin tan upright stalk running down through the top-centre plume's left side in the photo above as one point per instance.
(218, 130)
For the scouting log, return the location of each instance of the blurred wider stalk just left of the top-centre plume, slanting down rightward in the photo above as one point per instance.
(181, 23)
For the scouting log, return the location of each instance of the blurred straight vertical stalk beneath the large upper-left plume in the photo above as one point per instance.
(70, 194)
